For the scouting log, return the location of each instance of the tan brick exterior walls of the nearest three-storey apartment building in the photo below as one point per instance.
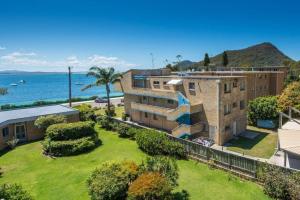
(208, 92)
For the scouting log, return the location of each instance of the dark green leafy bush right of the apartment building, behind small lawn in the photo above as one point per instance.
(262, 108)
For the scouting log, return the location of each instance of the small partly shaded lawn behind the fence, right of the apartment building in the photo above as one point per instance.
(262, 146)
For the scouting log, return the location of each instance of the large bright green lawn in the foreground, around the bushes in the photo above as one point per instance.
(65, 178)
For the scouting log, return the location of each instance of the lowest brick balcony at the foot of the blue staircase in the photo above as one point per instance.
(187, 129)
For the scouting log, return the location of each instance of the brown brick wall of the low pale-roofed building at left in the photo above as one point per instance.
(32, 132)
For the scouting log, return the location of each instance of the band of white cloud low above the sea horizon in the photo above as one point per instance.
(31, 60)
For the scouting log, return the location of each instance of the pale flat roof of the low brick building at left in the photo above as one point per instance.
(29, 114)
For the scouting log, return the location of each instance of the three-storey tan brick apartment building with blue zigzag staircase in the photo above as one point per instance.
(188, 104)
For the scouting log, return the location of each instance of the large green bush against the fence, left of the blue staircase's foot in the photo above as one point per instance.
(157, 143)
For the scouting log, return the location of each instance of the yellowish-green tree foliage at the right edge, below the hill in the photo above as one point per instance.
(290, 96)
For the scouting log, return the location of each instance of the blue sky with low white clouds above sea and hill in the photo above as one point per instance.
(49, 35)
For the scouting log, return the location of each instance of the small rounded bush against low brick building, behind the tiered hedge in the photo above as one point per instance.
(44, 122)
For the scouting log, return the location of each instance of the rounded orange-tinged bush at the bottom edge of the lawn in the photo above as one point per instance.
(150, 186)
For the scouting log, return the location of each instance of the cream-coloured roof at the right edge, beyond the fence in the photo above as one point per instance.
(289, 140)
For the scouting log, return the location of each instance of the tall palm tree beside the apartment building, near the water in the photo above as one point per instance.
(104, 76)
